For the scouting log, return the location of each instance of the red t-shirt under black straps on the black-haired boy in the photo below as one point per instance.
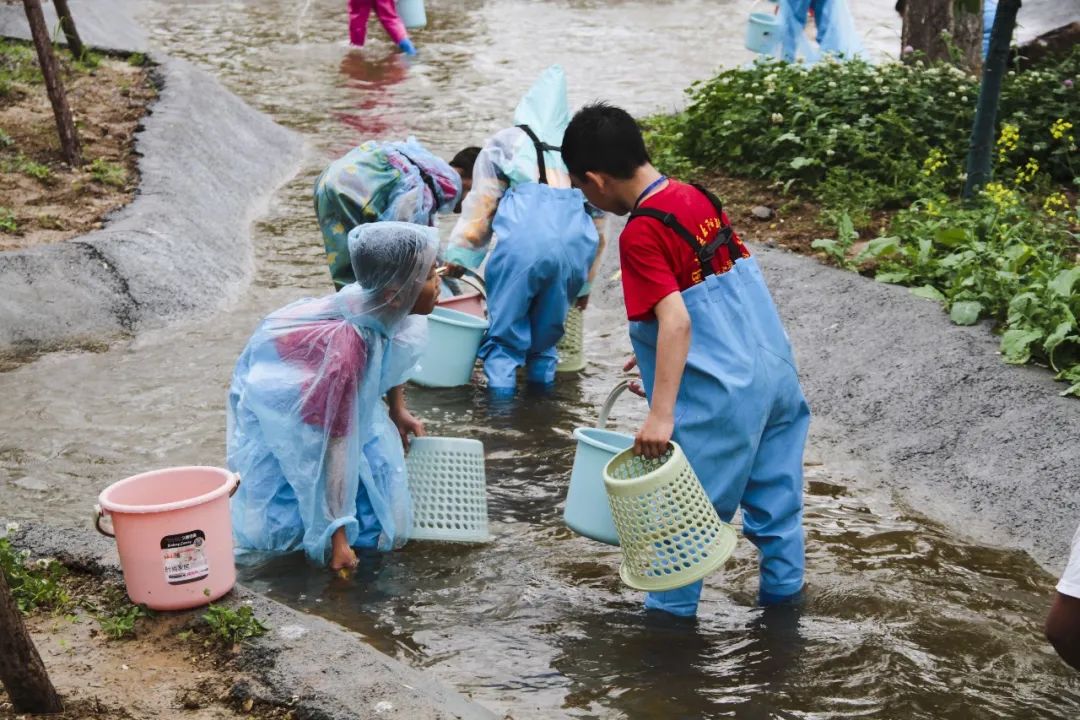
(656, 262)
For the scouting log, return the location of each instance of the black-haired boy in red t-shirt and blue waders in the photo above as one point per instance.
(715, 361)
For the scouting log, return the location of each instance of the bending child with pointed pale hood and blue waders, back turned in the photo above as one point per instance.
(548, 239)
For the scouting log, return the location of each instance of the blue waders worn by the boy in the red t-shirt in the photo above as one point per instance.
(742, 420)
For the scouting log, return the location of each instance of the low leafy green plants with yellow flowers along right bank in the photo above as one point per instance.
(1002, 261)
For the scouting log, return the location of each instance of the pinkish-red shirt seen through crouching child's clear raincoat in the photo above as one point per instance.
(335, 357)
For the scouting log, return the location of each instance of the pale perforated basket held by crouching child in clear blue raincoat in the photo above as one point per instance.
(449, 487)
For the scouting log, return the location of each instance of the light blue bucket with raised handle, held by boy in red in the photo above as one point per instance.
(588, 511)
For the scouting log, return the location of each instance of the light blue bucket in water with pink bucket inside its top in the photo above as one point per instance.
(454, 341)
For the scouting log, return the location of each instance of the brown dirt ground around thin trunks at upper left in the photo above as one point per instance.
(43, 200)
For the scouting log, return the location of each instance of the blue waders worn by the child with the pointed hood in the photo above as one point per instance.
(546, 246)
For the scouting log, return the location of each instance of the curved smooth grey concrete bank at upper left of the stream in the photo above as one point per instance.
(183, 248)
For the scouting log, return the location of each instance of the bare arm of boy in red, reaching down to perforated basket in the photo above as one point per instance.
(673, 346)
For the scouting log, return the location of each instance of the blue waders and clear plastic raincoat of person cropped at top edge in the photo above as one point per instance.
(835, 31)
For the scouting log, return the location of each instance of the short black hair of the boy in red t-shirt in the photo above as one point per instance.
(603, 139)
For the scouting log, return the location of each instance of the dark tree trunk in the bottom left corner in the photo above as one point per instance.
(22, 672)
